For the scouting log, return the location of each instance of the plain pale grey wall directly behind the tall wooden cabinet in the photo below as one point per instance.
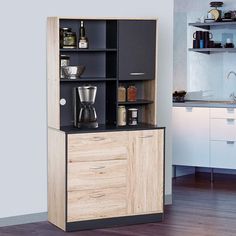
(23, 161)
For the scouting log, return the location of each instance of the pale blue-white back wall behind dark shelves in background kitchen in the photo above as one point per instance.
(200, 72)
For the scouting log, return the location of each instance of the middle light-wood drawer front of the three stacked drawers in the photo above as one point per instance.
(96, 174)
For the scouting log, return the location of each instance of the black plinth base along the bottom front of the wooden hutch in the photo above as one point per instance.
(113, 222)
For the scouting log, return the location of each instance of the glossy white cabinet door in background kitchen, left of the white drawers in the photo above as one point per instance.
(191, 136)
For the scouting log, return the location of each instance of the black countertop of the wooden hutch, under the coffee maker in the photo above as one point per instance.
(108, 128)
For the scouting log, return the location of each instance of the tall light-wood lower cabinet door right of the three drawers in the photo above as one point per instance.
(145, 185)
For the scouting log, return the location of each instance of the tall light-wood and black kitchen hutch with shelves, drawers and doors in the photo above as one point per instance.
(111, 175)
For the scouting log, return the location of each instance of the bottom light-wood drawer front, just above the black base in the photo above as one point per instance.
(96, 204)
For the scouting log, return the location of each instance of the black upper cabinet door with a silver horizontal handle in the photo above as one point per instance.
(137, 47)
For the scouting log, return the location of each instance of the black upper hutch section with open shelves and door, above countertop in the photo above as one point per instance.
(107, 66)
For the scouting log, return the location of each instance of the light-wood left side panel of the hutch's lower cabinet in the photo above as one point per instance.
(56, 177)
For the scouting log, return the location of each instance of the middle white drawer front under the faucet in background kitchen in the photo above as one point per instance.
(223, 129)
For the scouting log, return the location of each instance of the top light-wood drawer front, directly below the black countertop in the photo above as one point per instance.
(97, 146)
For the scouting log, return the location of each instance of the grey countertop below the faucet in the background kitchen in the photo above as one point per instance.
(215, 104)
